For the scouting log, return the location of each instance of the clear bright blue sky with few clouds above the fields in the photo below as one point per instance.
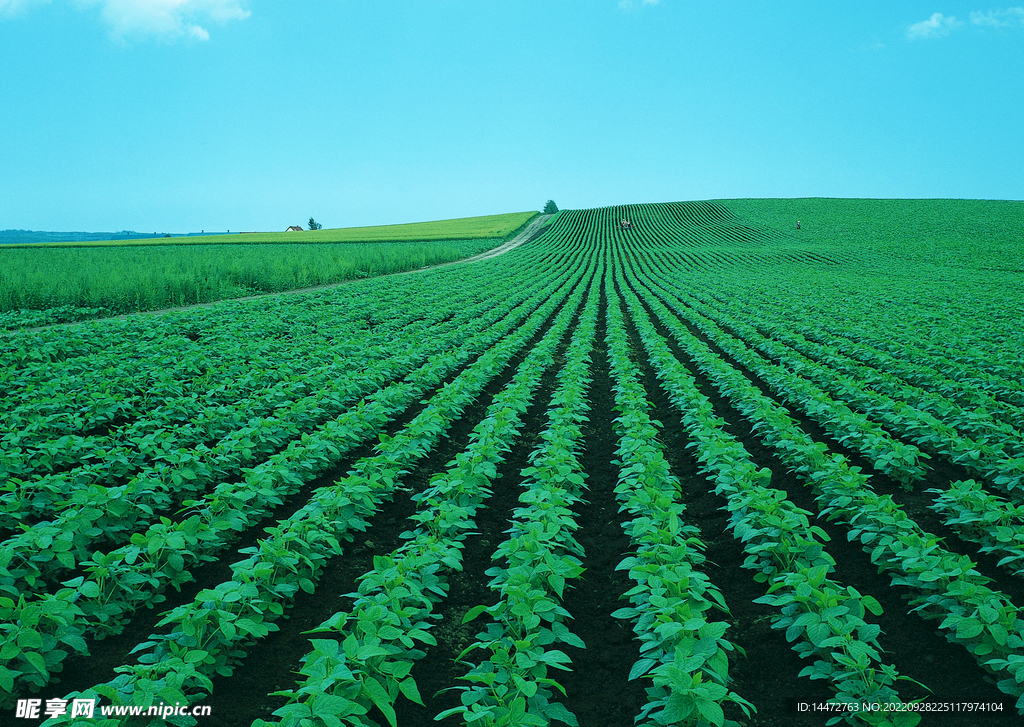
(189, 115)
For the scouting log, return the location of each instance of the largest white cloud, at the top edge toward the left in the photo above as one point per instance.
(167, 19)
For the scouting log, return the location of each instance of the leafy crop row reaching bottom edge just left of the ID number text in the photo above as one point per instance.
(684, 651)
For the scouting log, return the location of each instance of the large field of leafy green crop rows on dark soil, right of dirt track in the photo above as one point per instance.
(705, 469)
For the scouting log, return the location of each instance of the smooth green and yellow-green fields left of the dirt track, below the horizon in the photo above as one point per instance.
(63, 282)
